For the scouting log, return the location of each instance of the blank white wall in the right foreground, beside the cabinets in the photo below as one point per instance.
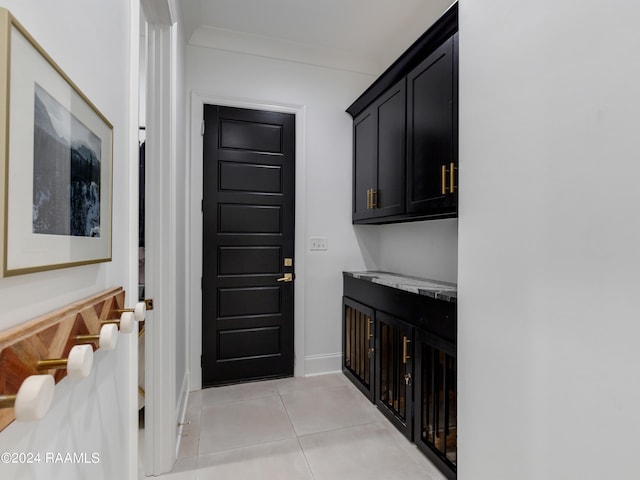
(548, 240)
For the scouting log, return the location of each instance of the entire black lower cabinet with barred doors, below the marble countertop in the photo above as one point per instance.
(400, 351)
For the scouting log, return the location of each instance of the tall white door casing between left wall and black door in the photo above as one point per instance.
(160, 254)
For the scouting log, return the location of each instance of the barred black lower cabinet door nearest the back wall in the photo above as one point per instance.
(358, 345)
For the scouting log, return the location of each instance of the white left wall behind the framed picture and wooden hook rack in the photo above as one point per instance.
(90, 41)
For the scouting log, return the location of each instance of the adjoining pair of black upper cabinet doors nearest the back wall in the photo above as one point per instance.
(379, 146)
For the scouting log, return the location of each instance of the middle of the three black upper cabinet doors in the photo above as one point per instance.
(389, 195)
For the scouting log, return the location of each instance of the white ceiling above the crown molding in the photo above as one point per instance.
(361, 35)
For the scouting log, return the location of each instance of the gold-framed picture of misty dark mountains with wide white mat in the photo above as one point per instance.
(56, 156)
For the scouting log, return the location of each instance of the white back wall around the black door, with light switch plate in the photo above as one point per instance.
(323, 94)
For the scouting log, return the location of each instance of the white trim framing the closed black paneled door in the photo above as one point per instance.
(194, 215)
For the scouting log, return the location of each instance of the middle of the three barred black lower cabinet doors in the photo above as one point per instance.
(394, 370)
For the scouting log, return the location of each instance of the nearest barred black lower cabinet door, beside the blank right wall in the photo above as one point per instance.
(436, 401)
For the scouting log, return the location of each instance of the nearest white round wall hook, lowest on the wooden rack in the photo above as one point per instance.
(33, 399)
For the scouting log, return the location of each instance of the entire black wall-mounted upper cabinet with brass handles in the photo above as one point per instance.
(406, 133)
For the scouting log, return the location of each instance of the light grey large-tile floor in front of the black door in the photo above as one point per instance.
(316, 428)
